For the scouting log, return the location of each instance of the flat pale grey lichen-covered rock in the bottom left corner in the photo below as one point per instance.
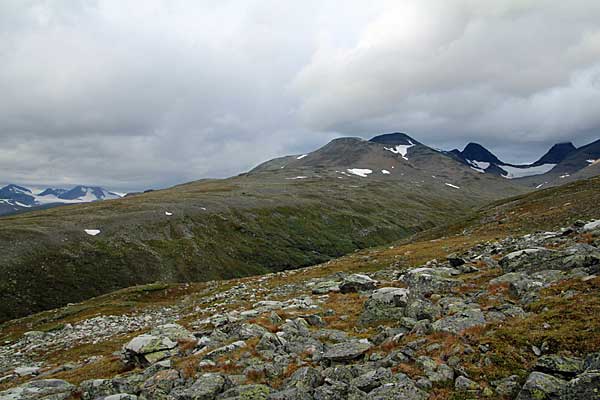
(45, 389)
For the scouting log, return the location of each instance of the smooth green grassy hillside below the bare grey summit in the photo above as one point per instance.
(219, 229)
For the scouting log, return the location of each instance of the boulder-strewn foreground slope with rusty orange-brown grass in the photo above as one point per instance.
(502, 305)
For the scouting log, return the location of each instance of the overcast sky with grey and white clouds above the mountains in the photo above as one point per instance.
(149, 93)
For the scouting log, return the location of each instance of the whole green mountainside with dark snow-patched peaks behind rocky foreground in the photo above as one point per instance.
(286, 213)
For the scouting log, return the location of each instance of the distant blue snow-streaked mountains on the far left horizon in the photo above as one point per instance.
(14, 198)
